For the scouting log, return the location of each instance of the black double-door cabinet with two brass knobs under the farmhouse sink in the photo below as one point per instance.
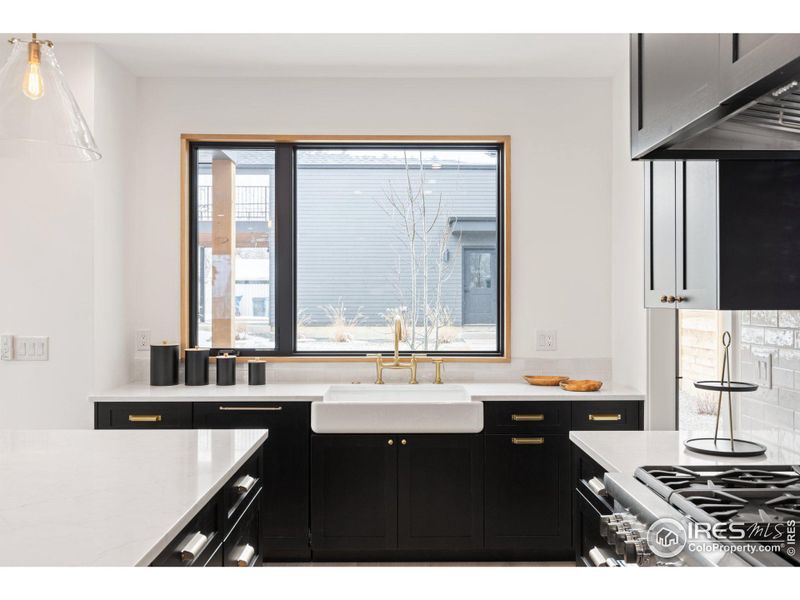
(396, 496)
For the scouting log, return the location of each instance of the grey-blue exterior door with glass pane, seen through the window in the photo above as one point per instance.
(480, 286)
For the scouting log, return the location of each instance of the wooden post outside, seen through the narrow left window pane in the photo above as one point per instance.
(223, 248)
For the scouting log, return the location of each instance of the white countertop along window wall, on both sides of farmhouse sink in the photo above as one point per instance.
(304, 392)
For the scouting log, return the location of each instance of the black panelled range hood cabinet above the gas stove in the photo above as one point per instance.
(682, 86)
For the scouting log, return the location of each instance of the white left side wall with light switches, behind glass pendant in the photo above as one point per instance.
(60, 231)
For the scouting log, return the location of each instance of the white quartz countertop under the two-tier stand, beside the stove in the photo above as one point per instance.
(623, 451)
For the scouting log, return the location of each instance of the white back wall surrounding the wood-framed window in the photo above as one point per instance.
(561, 180)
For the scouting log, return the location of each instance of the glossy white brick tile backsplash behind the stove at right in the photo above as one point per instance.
(769, 414)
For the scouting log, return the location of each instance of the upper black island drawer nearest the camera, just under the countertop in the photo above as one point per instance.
(190, 550)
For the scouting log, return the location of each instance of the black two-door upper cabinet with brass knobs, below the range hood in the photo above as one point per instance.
(722, 235)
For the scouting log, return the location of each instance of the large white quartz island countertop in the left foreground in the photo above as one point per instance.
(111, 498)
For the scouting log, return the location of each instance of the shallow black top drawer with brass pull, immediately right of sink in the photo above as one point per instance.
(526, 417)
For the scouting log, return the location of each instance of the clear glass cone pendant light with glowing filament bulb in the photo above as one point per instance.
(38, 112)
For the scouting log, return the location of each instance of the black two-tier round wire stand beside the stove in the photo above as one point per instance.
(720, 446)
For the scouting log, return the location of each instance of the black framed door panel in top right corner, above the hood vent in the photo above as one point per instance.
(747, 58)
